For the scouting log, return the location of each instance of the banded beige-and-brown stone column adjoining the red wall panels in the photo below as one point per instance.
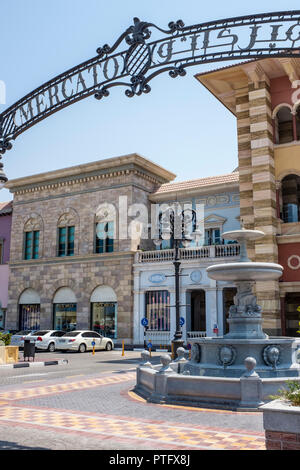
(264, 193)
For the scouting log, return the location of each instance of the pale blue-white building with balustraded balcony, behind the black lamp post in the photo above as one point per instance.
(204, 302)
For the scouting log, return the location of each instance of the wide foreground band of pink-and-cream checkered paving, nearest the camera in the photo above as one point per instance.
(174, 434)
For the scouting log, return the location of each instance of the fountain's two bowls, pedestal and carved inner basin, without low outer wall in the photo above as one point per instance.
(224, 356)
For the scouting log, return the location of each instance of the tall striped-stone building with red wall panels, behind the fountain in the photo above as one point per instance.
(264, 95)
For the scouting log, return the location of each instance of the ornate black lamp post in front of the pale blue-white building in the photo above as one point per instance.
(178, 235)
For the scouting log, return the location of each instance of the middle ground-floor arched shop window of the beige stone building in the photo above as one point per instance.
(64, 310)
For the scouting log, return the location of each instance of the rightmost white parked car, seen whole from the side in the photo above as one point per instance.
(83, 340)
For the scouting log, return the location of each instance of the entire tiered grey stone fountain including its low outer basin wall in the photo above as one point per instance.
(240, 369)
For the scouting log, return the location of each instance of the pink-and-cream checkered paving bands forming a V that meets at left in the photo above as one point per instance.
(135, 431)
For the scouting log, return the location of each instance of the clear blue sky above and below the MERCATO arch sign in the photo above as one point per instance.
(179, 125)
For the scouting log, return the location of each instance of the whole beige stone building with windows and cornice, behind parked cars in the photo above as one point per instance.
(63, 273)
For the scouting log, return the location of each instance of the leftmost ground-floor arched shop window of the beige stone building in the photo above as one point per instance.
(29, 310)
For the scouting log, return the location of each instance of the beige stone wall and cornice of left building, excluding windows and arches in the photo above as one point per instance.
(43, 201)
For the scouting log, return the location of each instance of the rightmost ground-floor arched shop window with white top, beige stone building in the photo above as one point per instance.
(104, 311)
